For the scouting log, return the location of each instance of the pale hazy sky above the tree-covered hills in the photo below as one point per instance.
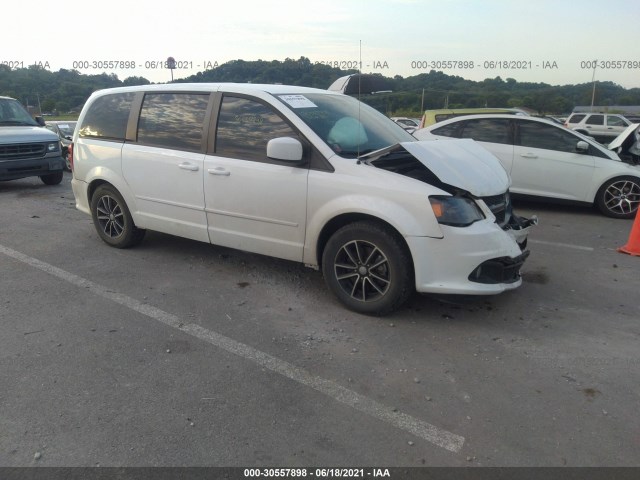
(557, 42)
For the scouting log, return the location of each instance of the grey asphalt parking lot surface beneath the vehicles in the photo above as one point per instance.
(178, 353)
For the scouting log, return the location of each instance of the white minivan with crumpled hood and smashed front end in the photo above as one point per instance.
(301, 174)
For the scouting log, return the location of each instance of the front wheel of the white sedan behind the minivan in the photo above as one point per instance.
(619, 197)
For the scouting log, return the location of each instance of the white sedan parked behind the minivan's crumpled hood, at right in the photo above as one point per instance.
(546, 160)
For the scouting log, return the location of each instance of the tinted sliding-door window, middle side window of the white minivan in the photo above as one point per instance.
(173, 120)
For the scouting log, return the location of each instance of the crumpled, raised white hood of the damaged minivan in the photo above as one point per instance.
(462, 163)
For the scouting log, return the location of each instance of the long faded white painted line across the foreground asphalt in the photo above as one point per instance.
(437, 436)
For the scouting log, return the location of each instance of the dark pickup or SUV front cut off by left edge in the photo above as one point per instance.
(27, 149)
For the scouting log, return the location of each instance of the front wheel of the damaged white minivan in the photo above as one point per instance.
(368, 267)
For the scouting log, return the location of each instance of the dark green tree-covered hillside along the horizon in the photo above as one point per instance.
(67, 90)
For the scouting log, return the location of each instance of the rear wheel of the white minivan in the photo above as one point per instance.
(112, 218)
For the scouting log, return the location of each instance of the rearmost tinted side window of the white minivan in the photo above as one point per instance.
(107, 117)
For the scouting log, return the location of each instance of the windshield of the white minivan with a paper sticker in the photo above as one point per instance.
(351, 128)
